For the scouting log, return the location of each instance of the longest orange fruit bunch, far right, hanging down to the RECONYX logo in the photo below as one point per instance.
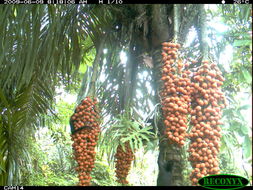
(207, 104)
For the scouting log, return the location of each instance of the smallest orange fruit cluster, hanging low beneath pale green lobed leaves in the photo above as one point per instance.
(123, 162)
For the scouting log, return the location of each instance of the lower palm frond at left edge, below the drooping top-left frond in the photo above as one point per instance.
(19, 119)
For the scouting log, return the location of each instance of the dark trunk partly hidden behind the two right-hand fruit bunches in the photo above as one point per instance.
(170, 156)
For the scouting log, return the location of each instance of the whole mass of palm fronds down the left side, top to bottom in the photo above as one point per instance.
(41, 46)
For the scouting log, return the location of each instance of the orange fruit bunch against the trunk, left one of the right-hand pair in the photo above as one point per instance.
(175, 94)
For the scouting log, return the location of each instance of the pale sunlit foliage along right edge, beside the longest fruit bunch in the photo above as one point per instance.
(236, 147)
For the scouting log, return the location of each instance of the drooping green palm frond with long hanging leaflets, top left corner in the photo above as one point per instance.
(39, 39)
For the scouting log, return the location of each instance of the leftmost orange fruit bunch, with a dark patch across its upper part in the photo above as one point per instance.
(85, 136)
